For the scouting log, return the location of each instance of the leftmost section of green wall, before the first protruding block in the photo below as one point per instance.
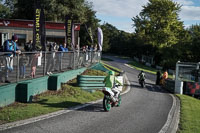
(7, 94)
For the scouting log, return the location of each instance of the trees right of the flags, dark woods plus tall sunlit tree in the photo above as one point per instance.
(159, 33)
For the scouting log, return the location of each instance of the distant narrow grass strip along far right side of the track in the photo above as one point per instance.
(145, 68)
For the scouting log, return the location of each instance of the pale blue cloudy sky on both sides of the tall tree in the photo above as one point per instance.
(120, 12)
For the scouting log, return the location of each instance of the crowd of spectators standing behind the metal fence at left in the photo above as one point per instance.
(29, 57)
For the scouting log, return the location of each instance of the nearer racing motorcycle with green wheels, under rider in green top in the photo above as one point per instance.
(111, 98)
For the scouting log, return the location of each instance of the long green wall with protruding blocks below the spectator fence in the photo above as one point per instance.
(25, 90)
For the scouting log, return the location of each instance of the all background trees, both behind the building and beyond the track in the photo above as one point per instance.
(159, 32)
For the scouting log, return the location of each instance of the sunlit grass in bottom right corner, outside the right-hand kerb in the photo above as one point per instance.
(190, 114)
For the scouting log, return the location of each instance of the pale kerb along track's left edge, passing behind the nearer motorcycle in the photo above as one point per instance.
(50, 115)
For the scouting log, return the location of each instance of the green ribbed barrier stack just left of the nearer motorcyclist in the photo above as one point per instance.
(89, 83)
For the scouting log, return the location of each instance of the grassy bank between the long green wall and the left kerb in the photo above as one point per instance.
(50, 101)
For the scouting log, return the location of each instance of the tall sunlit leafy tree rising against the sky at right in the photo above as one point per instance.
(158, 25)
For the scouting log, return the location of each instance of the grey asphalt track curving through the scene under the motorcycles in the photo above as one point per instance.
(143, 110)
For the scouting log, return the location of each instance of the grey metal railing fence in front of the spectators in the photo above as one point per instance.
(28, 65)
